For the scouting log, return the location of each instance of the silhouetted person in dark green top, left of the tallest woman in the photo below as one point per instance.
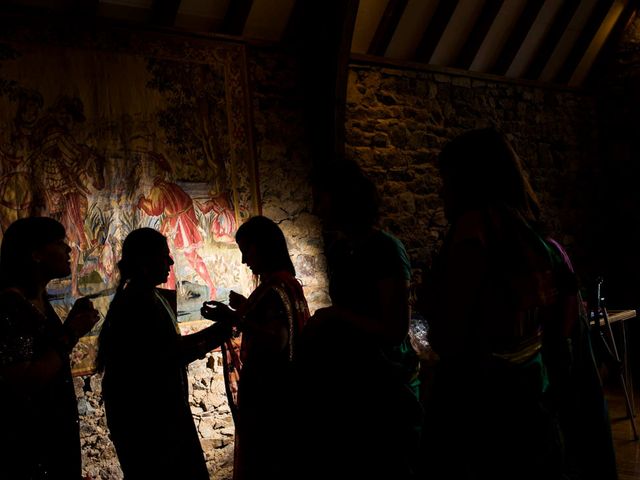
(360, 370)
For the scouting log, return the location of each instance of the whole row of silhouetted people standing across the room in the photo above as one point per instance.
(515, 392)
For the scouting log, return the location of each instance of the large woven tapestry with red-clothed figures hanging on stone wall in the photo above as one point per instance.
(130, 130)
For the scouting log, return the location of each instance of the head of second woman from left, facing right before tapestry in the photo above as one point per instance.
(146, 259)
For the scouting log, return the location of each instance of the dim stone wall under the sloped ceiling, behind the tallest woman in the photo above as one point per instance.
(399, 118)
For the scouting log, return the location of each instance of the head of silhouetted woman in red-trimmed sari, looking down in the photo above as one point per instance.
(263, 246)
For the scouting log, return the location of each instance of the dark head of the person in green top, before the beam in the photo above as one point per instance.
(344, 198)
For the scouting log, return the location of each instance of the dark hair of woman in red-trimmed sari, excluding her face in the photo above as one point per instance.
(270, 243)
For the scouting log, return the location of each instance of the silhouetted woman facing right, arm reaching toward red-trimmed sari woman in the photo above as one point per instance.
(142, 353)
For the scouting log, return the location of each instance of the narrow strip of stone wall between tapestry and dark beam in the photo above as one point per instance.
(284, 165)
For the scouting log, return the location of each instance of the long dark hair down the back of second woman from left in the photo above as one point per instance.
(135, 250)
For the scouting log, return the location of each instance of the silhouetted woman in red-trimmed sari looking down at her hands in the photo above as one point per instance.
(270, 321)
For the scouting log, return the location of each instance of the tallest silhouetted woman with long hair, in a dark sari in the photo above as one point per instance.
(494, 292)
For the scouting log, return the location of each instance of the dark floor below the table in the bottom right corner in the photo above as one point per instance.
(627, 449)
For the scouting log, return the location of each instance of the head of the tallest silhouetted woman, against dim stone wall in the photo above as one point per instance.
(479, 169)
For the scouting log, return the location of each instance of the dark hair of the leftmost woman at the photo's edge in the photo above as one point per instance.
(20, 240)
